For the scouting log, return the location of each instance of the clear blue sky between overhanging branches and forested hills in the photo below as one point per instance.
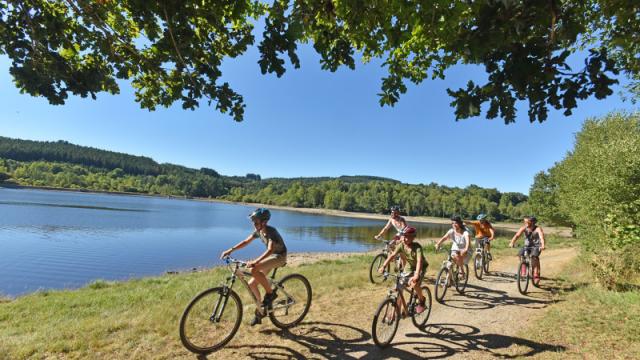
(314, 123)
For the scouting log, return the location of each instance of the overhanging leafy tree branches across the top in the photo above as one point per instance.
(171, 51)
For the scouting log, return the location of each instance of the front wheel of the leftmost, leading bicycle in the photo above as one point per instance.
(210, 320)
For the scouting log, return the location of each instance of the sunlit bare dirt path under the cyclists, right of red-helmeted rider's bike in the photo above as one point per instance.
(485, 321)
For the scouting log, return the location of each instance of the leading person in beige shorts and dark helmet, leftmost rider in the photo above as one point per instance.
(275, 256)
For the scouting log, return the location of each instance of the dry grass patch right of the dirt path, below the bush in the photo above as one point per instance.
(590, 321)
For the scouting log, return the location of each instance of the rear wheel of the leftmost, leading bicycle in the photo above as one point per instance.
(292, 303)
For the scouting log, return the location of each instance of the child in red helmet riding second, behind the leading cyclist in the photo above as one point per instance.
(416, 263)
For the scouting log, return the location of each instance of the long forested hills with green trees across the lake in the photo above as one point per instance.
(64, 165)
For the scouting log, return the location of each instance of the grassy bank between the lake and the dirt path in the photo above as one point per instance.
(139, 318)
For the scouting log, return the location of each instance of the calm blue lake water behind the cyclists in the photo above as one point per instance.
(52, 239)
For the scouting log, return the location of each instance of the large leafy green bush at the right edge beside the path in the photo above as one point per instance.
(596, 190)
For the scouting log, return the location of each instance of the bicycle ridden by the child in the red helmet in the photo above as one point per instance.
(387, 316)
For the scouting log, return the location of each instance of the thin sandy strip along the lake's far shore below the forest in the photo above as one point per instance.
(551, 230)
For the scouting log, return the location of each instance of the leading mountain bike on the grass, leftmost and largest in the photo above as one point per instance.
(213, 316)
